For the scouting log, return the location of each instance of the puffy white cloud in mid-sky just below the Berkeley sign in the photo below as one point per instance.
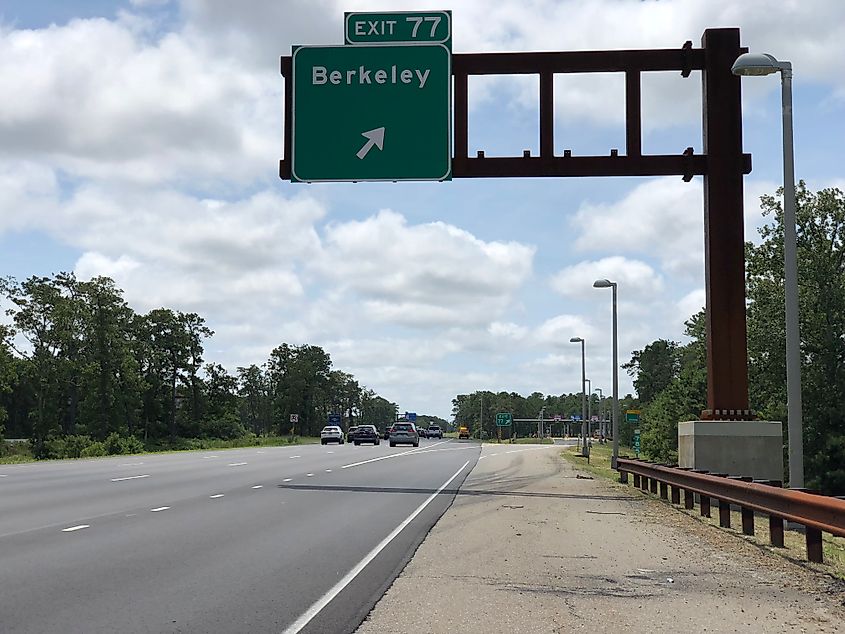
(432, 273)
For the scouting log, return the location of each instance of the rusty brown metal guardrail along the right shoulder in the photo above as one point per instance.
(817, 513)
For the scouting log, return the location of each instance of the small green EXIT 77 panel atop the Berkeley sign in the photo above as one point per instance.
(412, 27)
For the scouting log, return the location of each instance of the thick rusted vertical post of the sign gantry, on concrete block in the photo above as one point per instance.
(724, 242)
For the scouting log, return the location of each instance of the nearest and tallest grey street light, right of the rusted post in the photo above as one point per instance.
(754, 64)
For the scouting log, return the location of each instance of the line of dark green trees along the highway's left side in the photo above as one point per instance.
(87, 367)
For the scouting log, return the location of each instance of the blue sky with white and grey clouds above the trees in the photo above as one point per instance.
(140, 140)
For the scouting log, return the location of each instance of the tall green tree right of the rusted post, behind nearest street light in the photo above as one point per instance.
(821, 272)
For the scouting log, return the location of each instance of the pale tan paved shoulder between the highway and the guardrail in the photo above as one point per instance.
(530, 547)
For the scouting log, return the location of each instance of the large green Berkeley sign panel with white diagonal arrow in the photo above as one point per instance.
(371, 113)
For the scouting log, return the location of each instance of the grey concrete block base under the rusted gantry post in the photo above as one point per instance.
(742, 448)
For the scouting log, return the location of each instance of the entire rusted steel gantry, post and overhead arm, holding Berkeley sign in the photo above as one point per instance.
(722, 165)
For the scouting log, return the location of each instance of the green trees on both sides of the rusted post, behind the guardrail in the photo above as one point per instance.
(671, 379)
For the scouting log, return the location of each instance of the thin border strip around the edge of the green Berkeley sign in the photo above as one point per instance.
(294, 177)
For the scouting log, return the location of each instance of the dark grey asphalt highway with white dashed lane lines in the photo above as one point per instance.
(275, 539)
